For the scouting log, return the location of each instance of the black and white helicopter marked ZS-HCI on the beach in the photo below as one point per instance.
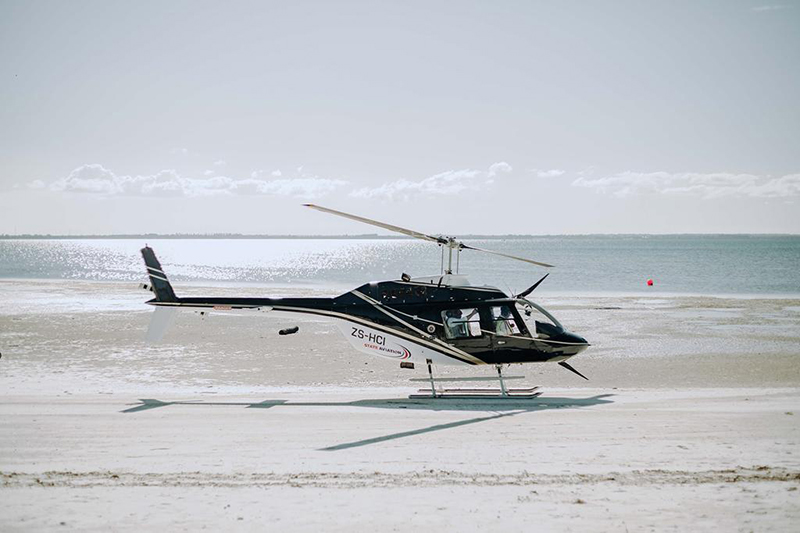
(433, 320)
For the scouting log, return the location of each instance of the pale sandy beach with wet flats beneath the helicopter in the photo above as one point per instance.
(689, 420)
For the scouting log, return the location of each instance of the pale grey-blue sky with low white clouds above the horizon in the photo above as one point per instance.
(446, 117)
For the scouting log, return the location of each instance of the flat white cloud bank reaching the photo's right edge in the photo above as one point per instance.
(713, 185)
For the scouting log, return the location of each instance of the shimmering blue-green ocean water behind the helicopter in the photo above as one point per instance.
(613, 264)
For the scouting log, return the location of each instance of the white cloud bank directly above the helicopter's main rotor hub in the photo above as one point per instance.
(445, 183)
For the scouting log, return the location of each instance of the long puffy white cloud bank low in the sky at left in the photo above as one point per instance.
(96, 179)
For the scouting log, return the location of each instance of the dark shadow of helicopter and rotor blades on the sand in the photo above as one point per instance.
(499, 408)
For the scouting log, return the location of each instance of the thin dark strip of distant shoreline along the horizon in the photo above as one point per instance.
(367, 236)
